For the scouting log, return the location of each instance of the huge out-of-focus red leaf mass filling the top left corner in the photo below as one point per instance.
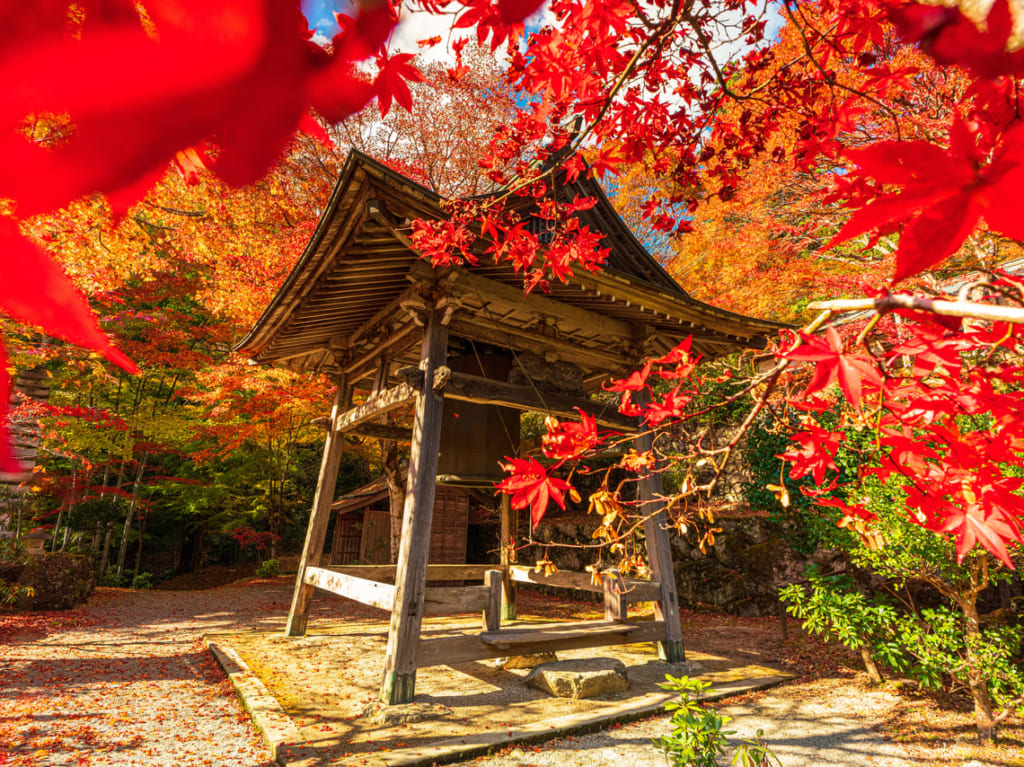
(214, 71)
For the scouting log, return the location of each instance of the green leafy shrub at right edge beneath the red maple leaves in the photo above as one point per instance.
(935, 637)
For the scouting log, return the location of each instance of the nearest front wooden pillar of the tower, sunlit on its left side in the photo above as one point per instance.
(399, 686)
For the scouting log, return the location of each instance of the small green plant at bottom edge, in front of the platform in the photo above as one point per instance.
(698, 739)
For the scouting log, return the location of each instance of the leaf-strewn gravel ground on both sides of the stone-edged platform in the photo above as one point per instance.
(126, 681)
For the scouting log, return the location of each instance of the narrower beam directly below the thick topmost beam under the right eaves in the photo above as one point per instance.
(511, 337)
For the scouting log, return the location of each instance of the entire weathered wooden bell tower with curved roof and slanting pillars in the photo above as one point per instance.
(462, 352)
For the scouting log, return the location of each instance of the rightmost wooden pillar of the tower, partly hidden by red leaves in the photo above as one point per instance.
(660, 558)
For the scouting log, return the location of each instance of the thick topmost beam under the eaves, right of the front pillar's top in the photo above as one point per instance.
(506, 297)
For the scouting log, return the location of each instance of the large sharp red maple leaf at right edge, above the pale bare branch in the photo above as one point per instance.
(945, 195)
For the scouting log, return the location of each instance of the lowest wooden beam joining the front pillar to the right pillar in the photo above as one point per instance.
(460, 650)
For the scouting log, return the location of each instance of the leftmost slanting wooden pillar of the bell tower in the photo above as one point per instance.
(313, 549)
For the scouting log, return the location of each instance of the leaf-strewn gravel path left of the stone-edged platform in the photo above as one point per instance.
(126, 681)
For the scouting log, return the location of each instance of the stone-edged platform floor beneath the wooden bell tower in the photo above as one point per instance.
(315, 698)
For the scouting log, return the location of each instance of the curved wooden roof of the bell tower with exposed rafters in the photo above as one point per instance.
(346, 304)
